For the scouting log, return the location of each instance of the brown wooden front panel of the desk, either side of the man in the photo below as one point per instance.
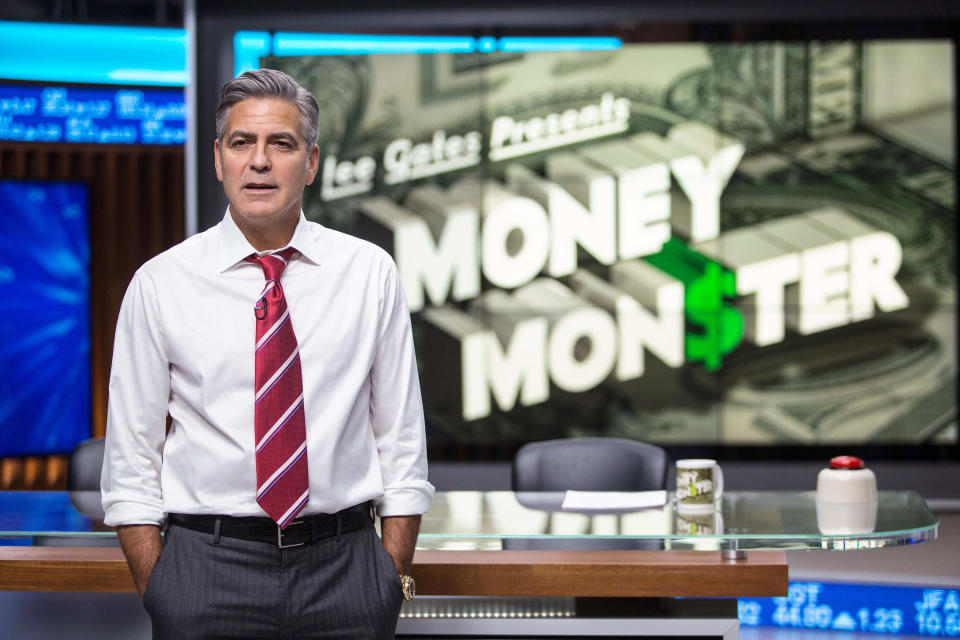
(476, 573)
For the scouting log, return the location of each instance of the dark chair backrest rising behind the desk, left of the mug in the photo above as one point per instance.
(590, 464)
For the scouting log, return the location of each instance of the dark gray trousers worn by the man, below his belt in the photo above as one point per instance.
(344, 587)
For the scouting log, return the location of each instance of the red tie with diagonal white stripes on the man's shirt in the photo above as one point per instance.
(281, 444)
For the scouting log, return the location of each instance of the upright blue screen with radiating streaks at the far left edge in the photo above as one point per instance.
(44, 317)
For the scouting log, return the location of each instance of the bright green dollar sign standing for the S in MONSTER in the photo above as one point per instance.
(721, 325)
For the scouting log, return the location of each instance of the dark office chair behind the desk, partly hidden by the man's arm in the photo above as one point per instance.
(83, 485)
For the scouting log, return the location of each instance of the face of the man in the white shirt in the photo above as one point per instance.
(264, 162)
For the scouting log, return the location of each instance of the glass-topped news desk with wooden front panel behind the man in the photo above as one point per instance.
(500, 564)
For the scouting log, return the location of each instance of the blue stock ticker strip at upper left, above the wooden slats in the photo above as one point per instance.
(32, 113)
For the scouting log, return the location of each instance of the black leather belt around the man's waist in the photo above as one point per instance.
(299, 531)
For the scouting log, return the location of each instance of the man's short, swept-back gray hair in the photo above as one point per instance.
(269, 83)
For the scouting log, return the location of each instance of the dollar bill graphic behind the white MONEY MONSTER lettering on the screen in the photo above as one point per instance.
(863, 126)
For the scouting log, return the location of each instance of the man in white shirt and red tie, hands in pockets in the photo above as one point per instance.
(283, 354)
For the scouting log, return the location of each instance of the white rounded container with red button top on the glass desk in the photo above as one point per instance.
(846, 497)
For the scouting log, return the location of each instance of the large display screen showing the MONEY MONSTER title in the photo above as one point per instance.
(687, 244)
